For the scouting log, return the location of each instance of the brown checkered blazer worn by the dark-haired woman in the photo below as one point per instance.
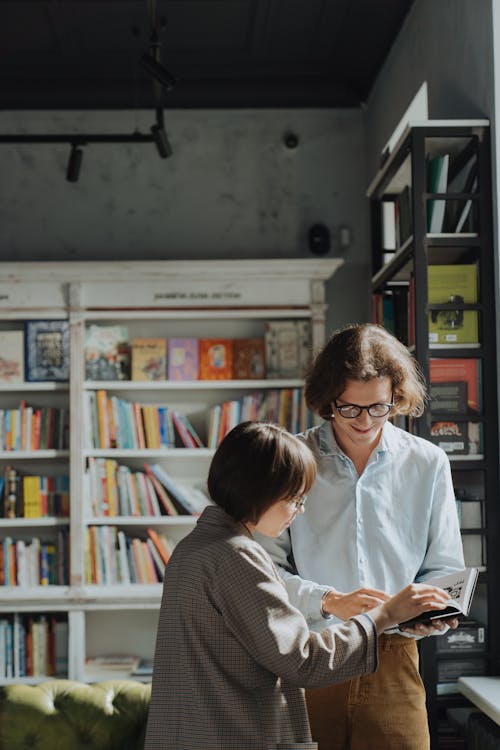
(232, 654)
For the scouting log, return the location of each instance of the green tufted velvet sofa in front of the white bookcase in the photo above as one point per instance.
(68, 715)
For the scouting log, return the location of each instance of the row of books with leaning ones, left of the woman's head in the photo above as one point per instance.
(113, 489)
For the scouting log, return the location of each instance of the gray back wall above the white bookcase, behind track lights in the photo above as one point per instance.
(231, 189)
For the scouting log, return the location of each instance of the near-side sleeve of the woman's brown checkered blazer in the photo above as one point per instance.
(253, 601)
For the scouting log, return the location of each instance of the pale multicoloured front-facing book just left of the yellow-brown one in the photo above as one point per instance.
(107, 352)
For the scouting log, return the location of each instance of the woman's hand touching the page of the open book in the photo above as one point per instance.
(410, 602)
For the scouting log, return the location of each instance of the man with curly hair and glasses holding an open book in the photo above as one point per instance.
(381, 514)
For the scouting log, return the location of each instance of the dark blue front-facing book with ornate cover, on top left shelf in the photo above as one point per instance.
(46, 350)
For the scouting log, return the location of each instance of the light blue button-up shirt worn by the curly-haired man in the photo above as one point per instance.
(395, 524)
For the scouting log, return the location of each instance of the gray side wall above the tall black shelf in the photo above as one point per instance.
(449, 43)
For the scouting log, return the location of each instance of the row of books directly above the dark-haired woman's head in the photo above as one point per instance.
(285, 406)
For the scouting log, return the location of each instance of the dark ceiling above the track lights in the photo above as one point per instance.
(84, 54)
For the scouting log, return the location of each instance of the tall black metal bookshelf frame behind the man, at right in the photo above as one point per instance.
(408, 266)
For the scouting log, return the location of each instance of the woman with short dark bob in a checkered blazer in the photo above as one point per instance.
(232, 655)
